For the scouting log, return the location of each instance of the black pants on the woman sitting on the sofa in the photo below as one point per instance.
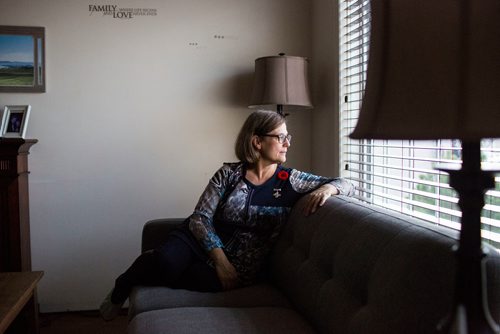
(174, 264)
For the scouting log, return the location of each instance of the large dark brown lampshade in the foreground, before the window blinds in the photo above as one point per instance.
(433, 70)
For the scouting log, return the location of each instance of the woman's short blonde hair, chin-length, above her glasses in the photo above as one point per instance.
(259, 123)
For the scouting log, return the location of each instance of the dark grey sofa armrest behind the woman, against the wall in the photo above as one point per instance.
(155, 232)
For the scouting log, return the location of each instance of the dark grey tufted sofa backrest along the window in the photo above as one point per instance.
(355, 268)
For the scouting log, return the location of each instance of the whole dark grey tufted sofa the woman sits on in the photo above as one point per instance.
(348, 268)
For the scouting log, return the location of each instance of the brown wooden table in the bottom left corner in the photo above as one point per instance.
(18, 306)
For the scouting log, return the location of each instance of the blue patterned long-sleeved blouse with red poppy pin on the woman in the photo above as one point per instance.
(244, 219)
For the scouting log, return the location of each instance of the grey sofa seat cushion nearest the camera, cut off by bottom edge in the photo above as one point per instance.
(220, 320)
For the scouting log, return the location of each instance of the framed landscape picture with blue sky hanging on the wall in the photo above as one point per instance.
(22, 59)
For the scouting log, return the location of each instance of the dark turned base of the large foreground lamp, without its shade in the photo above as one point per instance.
(470, 312)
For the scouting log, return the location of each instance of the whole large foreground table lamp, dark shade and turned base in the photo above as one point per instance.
(434, 73)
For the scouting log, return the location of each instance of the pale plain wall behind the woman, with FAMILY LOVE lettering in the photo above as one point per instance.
(134, 122)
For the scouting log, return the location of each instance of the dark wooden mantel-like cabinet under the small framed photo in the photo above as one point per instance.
(15, 251)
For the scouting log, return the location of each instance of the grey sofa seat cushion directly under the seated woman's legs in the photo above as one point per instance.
(145, 299)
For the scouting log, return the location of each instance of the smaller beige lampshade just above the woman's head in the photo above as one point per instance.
(280, 80)
